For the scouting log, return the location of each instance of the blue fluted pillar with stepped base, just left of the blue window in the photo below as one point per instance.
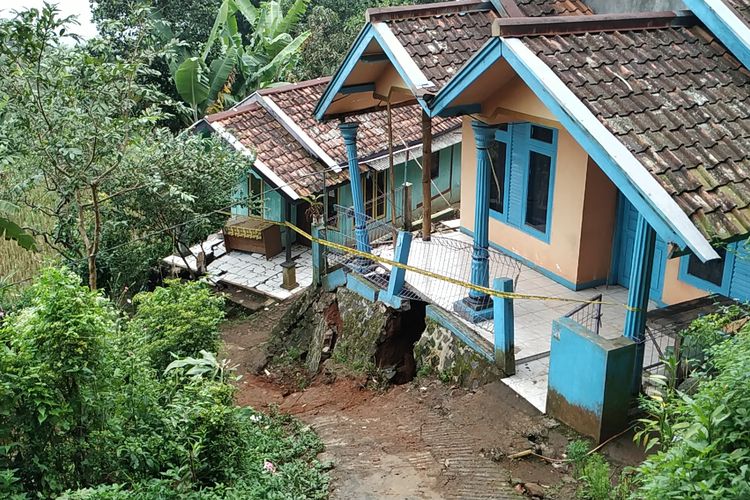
(478, 306)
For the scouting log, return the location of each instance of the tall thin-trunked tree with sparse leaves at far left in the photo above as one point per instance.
(84, 146)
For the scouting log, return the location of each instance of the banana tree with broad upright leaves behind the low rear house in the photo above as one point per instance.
(240, 66)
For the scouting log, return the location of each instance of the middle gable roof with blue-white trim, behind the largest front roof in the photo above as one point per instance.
(428, 44)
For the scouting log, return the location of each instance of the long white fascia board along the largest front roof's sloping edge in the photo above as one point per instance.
(671, 214)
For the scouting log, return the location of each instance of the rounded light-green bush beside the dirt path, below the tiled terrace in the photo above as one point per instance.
(177, 320)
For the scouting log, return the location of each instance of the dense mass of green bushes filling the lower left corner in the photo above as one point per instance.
(85, 414)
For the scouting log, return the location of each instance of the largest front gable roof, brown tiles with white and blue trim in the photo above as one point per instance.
(655, 100)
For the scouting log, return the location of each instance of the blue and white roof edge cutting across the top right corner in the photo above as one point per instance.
(729, 20)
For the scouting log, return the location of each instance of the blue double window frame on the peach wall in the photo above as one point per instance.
(523, 177)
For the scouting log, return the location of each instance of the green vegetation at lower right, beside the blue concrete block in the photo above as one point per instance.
(701, 431)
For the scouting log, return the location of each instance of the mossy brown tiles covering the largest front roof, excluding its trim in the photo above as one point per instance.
(679, 101)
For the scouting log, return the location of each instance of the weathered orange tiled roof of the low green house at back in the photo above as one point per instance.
(292, 150)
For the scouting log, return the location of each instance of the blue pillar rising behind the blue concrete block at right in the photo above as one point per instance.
(638, 294)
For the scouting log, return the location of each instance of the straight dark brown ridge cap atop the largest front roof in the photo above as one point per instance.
(557, 25)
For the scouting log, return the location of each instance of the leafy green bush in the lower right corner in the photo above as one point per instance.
(707, 451)
